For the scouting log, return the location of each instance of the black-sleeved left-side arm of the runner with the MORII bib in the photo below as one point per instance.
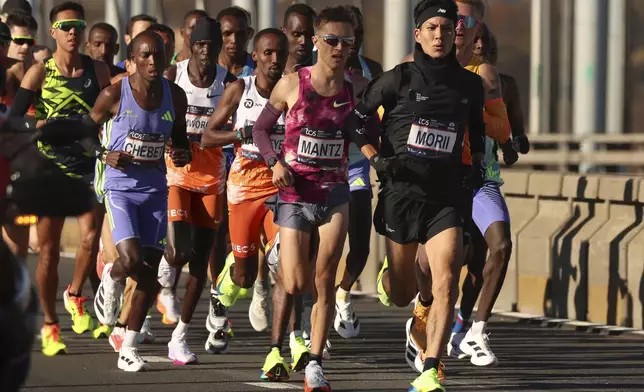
(379, 91)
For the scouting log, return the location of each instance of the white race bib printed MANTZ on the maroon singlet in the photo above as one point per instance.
(321, 148)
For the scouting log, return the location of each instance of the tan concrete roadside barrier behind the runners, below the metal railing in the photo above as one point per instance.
(578, 247)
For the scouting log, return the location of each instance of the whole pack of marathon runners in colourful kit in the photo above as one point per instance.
(254, 167)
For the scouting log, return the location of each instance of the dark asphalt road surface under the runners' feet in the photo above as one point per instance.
(532, 358)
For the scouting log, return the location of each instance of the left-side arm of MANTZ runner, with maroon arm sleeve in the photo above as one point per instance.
(276, 105)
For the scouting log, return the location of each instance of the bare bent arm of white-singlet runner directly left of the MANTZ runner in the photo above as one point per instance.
(214, 135)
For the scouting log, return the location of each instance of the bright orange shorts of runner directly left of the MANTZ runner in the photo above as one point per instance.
(245, 224)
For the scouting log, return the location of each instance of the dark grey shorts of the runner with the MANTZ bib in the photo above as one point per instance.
(308, 216)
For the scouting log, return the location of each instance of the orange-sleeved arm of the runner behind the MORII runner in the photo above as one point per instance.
(495, 115)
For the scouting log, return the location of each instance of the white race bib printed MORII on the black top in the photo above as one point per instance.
(429, 138)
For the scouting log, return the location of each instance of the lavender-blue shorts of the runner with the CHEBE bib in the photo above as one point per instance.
(138, 215)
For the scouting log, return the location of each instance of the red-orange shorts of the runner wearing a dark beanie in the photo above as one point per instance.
(198, 209)
